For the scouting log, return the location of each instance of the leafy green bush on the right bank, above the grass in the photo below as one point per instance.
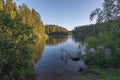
(108, 40)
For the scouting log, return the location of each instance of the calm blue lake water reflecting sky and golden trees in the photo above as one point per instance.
(54, 59)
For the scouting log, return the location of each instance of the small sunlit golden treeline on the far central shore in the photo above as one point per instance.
(55, 30)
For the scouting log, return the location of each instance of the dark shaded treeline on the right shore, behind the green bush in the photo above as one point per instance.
(82, 32)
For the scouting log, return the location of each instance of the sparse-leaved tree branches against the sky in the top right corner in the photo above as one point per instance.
(110, 11)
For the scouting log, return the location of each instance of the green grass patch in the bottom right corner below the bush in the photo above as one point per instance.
(100, 74)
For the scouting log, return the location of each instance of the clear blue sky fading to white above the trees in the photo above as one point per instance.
(66, 13)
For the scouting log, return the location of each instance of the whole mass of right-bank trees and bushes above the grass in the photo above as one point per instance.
(103, 36)
